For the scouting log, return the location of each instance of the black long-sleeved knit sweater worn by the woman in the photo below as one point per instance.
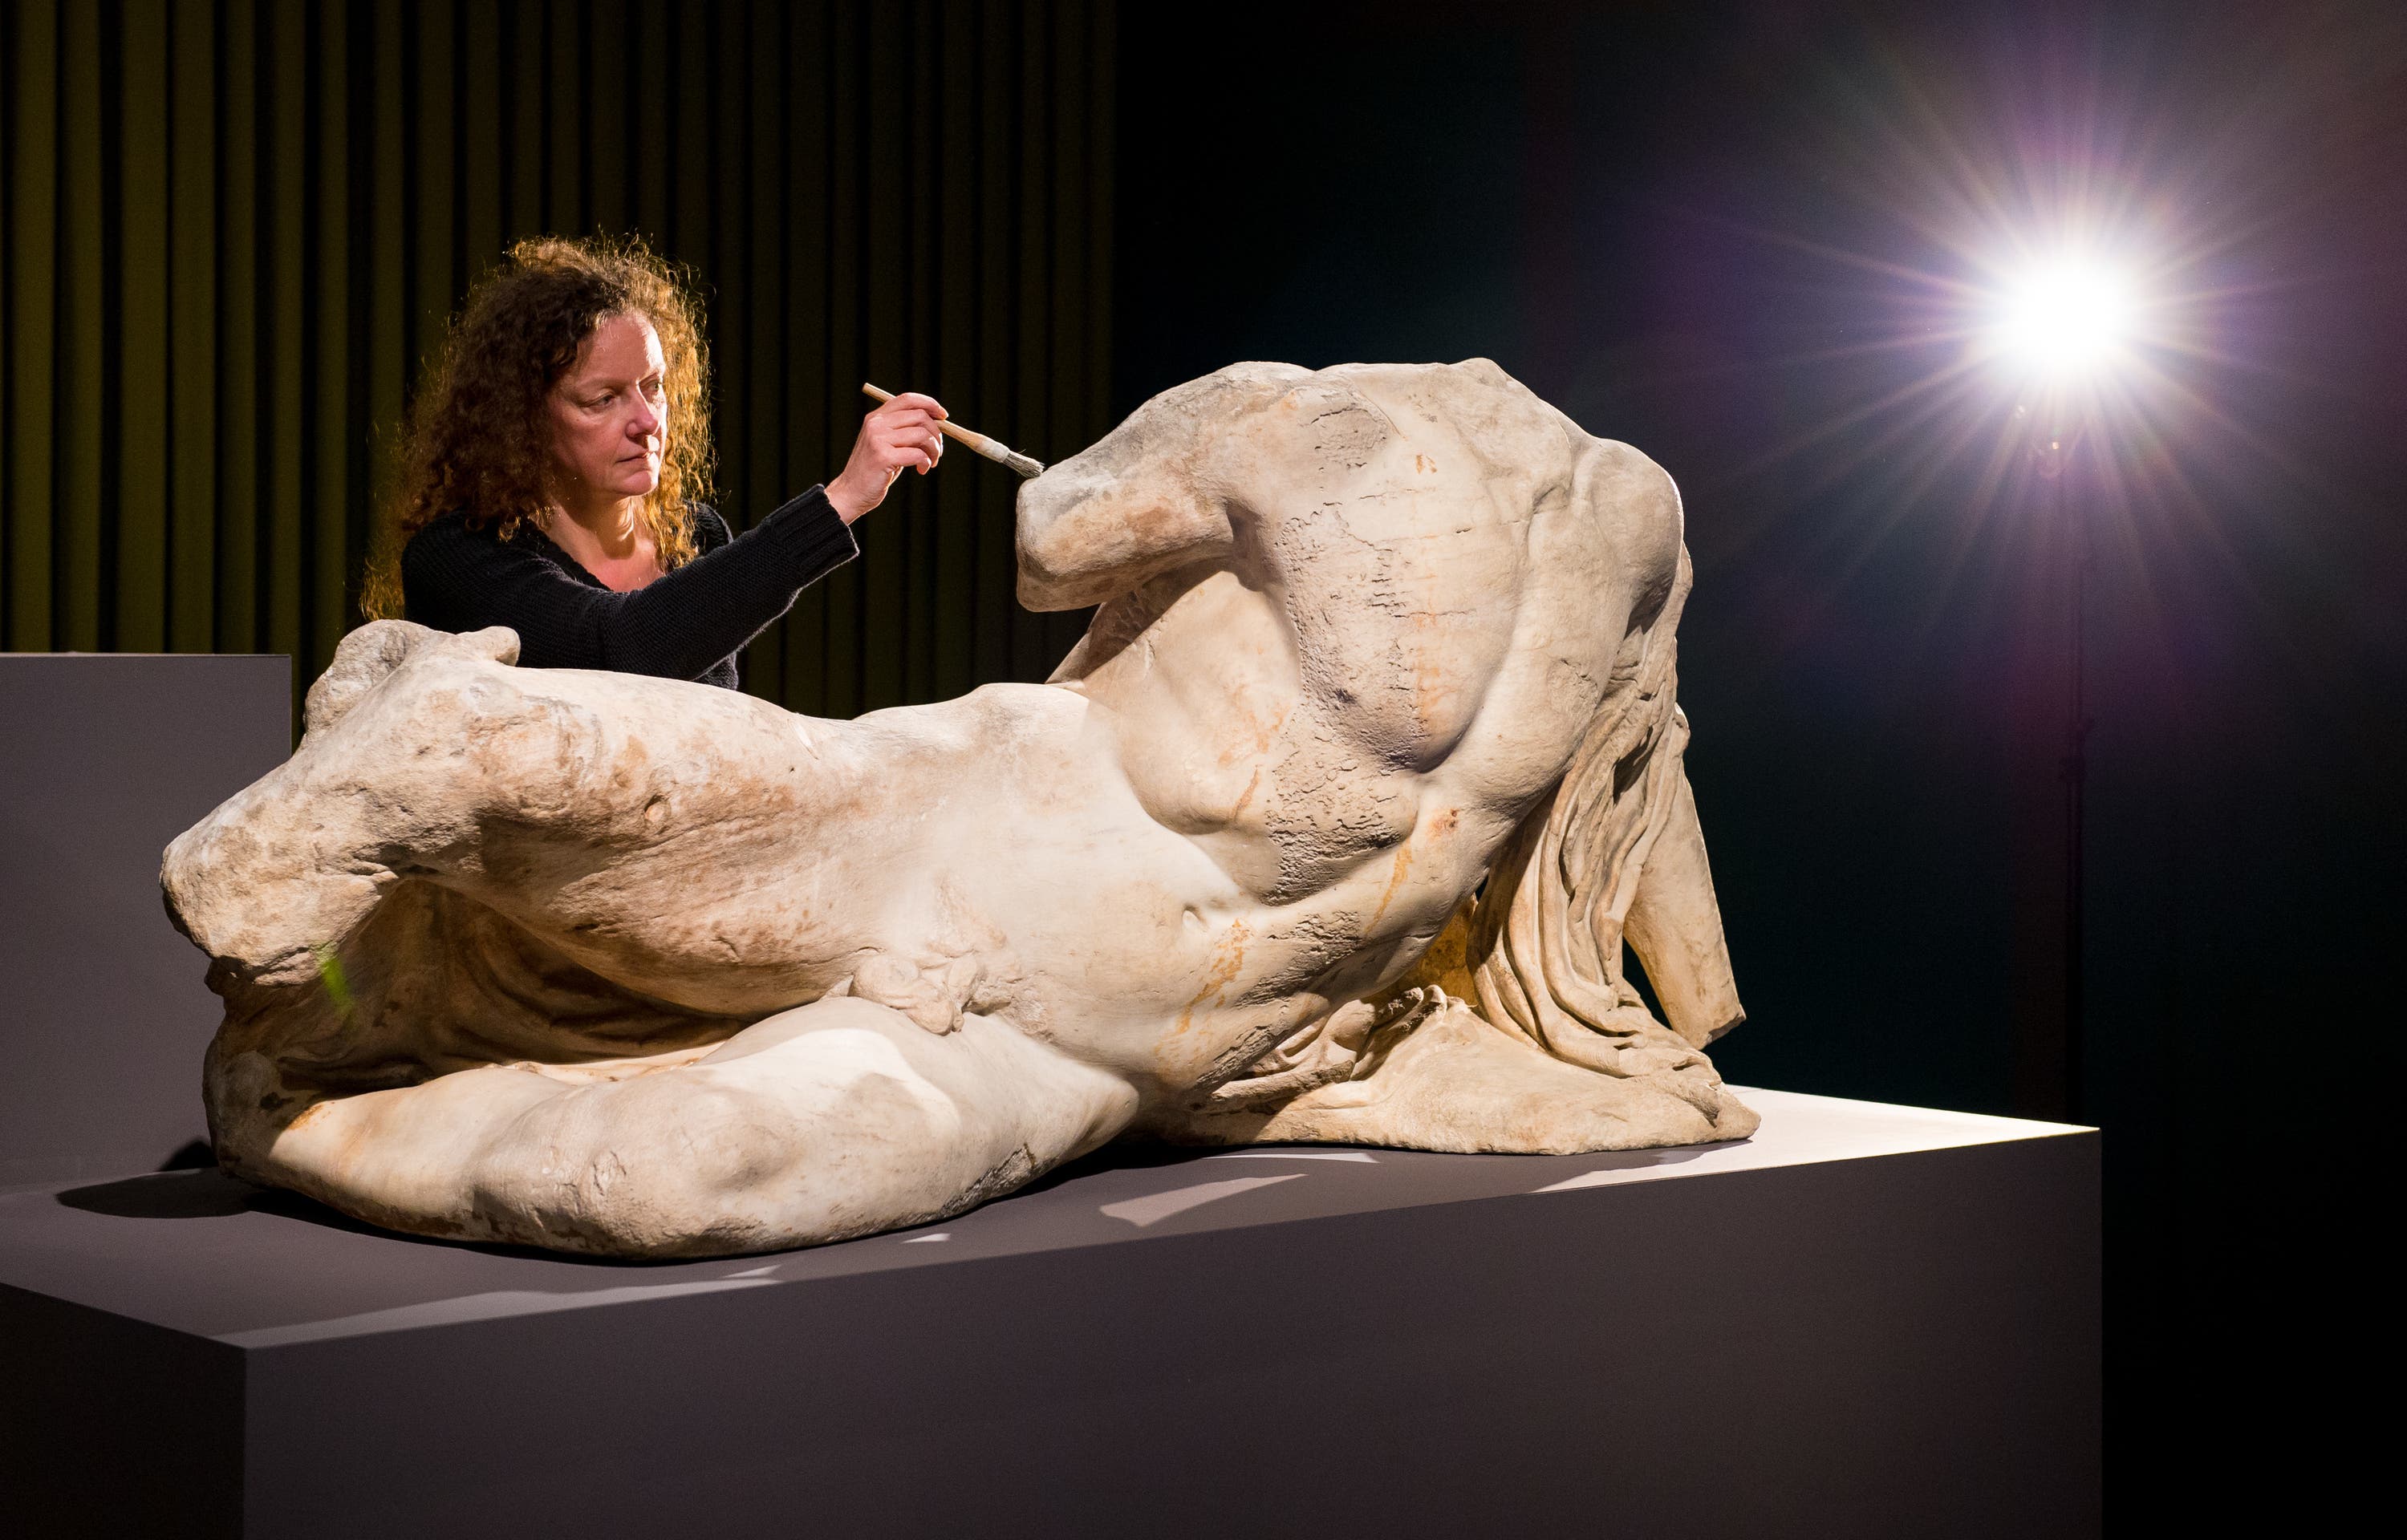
(687, 624)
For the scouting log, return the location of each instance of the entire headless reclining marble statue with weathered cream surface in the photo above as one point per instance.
(1332, 829)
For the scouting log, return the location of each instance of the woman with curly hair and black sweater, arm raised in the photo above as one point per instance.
(555, 470)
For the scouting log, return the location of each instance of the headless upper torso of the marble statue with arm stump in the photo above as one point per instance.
(1395, 612)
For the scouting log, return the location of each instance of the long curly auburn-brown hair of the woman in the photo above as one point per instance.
(478, 434)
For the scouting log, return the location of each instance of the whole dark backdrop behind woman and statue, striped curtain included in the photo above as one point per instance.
(1708, 230)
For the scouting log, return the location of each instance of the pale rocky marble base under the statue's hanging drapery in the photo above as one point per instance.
(1460, 1084)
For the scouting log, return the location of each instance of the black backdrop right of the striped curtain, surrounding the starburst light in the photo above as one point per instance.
(1701, 230)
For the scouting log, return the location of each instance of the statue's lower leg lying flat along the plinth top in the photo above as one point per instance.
(815, 1125)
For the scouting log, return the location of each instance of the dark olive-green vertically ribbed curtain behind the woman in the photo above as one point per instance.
(237, 227)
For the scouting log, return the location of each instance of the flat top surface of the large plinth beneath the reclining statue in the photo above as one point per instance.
(215, 1257)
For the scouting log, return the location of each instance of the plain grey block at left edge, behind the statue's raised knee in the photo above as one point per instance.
(107, 757)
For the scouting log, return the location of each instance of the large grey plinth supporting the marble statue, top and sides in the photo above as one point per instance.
(1864, 1322)
